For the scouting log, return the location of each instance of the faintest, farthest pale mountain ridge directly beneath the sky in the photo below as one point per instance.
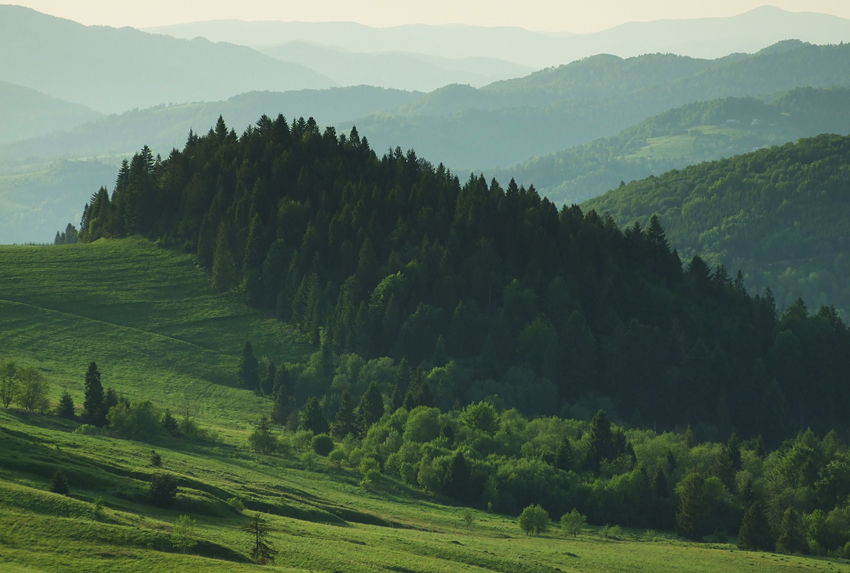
(707, 38)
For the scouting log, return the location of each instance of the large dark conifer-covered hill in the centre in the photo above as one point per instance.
(483, 290)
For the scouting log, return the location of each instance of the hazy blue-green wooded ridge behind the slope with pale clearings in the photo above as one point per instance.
(511, 121)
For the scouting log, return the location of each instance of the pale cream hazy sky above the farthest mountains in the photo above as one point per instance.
(550, 15)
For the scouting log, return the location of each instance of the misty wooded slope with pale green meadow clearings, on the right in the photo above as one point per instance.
(683, 136)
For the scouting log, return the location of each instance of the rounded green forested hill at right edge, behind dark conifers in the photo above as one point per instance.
(780, 214)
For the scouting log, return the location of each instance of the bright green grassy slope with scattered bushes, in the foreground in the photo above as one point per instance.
(149, 318)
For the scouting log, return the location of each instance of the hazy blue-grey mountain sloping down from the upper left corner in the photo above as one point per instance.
(113, 70)
